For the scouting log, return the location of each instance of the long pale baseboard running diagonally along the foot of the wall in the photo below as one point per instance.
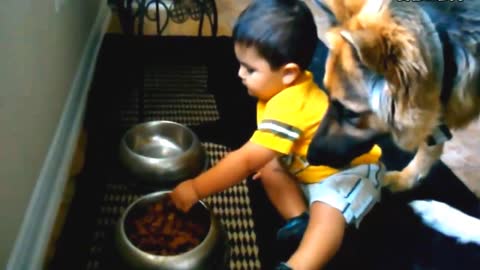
(34, 234)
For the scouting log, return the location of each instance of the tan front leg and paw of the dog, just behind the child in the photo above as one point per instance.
(417, 169)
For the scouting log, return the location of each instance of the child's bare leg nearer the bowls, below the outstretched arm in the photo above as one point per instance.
(283, 190)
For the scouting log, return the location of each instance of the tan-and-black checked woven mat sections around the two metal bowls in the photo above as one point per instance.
(177, 93)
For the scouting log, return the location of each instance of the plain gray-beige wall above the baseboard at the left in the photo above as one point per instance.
(40, 50)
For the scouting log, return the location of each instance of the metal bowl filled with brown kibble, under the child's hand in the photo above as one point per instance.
(153, 234)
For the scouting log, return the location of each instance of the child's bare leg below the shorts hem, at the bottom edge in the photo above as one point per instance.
(321, 240)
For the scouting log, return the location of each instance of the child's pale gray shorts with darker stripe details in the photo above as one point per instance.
(353, 192)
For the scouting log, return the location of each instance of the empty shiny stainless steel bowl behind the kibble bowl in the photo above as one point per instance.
(162, 153)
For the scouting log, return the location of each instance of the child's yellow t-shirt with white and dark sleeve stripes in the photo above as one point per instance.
(287, 123)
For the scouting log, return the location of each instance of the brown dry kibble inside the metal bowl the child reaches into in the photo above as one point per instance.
(164, 230)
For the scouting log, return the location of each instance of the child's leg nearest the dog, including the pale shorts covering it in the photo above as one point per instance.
(341, 199)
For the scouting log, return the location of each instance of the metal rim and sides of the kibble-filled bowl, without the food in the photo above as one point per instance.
(212, 253)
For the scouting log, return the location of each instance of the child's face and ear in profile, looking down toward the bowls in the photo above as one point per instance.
(261, 81)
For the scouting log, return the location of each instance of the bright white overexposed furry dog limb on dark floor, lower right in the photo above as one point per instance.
(448, 220)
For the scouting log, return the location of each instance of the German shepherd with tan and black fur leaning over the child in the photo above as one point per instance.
(410, 69)
